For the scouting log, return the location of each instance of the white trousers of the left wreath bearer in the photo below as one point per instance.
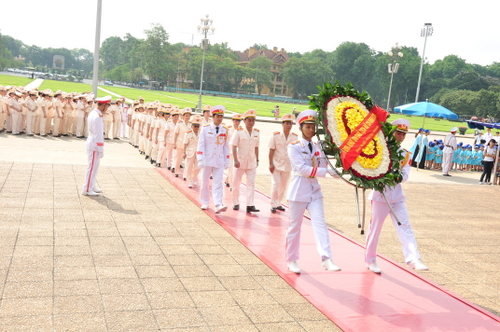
(317, 213)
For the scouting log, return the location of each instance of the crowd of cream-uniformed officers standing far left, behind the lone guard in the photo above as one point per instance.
(56, 113)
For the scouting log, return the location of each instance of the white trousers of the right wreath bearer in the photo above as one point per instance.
(380, 210)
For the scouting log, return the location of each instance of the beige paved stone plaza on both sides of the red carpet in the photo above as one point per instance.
(143, 257)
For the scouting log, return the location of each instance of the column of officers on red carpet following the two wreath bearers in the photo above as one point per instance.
(173, 138)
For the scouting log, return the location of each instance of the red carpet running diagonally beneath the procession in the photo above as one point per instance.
(355, 299)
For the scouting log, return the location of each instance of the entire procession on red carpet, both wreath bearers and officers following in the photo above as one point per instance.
(169, 136)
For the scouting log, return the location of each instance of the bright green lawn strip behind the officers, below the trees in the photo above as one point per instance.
(182, 100)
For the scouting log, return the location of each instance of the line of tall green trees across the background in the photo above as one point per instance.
(467, 89)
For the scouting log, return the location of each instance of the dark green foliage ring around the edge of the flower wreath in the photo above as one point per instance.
(319, 101)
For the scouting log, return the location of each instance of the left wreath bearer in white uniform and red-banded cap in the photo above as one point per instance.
(308, 163)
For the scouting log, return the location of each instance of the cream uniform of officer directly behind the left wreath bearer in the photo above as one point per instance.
(282, 166)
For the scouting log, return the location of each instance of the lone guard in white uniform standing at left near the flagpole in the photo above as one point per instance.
(95, 145)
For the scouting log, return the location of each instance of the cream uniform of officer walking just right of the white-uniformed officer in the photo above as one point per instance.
(245, 143)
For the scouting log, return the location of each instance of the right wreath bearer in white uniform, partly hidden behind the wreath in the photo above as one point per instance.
(380, 210)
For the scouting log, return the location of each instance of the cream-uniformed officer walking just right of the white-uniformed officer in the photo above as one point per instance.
(245, 147)
